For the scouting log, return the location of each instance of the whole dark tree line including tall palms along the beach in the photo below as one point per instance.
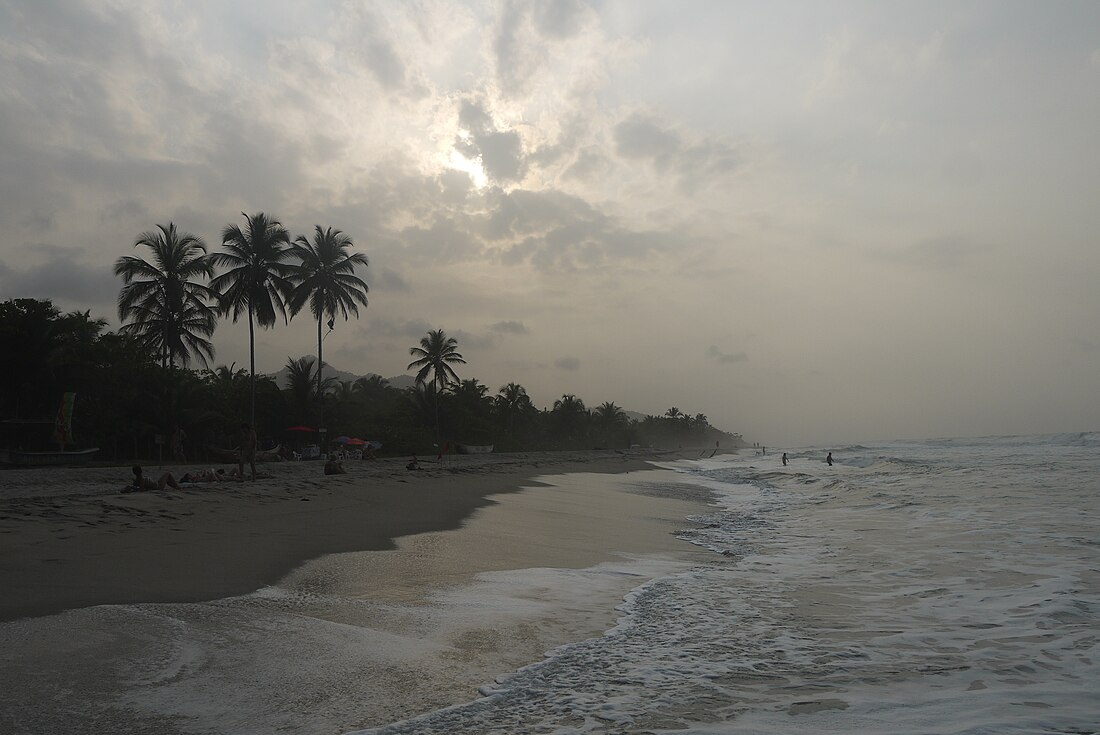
(138, 383)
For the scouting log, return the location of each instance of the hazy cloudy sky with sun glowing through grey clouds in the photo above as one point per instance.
(815, 223)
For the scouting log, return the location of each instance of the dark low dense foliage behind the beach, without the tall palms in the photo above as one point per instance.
(127, 397)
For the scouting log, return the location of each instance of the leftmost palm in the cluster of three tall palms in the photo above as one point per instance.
(167, 306)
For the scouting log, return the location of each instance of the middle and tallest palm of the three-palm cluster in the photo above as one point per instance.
(257, 281)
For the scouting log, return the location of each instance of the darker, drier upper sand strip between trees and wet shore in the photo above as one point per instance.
(70, 539)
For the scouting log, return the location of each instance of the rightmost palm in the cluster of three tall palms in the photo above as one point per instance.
(326, 278)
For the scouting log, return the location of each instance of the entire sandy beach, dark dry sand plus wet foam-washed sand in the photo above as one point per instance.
(360, 599)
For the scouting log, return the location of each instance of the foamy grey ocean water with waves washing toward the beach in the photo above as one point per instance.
(939, 587)
